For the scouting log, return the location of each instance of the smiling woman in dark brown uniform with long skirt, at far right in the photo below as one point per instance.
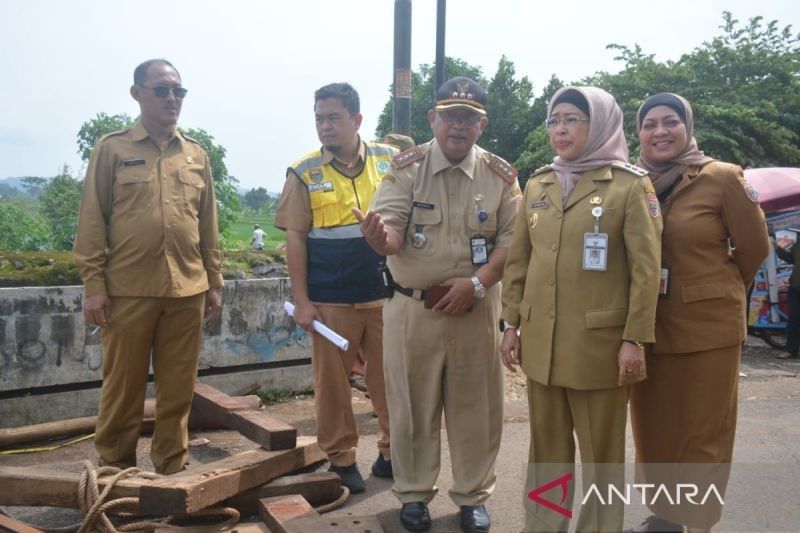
(715, 238)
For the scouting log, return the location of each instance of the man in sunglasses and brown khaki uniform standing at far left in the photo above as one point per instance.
(148, 253)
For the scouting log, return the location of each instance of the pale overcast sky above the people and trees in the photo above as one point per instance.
(251, 66)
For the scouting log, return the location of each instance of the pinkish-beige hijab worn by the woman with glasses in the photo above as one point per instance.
(606, 143)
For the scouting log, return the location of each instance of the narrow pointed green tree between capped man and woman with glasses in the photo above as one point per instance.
(510, 112)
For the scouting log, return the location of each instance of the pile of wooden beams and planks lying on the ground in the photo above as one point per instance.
(255, 482)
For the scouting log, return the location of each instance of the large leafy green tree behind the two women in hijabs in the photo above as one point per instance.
(744, 87)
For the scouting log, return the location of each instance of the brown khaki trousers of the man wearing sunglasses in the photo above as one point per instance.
(169, 329)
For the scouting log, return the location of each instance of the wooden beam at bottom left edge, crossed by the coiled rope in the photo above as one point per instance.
(36, 487)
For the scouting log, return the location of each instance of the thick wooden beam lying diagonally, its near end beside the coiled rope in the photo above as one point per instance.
(208, 484)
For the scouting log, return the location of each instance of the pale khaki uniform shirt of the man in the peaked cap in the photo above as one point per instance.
(442, 201)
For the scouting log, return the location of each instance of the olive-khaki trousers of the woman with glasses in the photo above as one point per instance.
(597, 418)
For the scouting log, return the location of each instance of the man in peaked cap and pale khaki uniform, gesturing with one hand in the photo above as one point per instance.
(444, 215)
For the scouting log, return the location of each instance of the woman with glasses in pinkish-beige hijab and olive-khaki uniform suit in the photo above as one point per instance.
(579, 298)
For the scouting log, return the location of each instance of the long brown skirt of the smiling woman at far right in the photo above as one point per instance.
(684, 424)
